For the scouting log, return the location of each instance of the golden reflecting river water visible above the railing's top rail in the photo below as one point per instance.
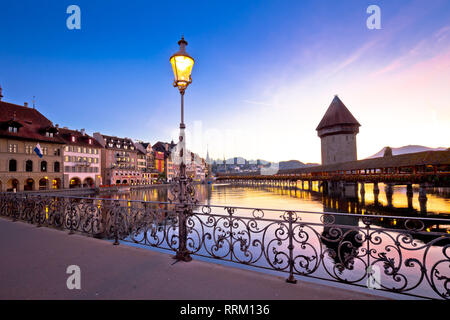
(277, 198)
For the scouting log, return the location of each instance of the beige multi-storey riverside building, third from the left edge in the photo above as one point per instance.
(118, 160)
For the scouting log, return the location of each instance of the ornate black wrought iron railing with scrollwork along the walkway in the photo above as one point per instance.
(408, 255)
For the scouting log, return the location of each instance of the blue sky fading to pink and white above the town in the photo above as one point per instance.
(265, 71)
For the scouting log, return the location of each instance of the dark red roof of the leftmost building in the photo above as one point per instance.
(31, 124)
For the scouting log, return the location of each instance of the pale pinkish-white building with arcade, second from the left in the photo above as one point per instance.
(82, 159)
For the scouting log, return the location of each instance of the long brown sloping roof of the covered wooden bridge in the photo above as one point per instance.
(404, 160)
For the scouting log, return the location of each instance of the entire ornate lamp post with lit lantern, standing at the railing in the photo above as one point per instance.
(182, 64)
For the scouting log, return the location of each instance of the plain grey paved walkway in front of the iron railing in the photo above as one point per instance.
(33, 263)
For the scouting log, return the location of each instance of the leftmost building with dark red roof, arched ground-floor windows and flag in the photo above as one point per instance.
(21, 169)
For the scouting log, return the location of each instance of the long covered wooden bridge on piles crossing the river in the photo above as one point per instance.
(427, 169)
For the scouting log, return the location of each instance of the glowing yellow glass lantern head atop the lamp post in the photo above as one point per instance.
(182, 64)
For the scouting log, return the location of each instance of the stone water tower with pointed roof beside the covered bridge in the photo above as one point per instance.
(337, 131)
